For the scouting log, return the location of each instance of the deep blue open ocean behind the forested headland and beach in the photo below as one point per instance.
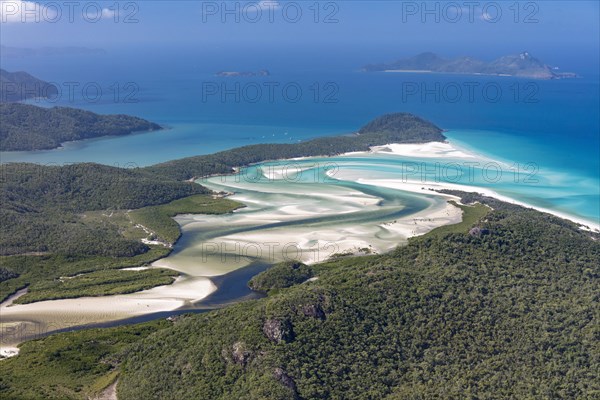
(550, 126)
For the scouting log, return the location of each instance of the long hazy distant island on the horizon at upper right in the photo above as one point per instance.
(521, 65)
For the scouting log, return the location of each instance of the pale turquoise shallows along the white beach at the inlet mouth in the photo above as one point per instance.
(518, 179)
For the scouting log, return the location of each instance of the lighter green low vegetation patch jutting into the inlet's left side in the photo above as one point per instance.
(159, 219)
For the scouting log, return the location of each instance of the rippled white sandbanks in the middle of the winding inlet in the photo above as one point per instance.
(287, 202)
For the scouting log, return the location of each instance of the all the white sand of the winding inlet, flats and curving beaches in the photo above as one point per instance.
(261, 238)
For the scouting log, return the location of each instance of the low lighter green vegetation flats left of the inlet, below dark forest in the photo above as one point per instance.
(58, 276)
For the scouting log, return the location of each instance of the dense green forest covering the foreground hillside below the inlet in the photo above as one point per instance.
(507, 314)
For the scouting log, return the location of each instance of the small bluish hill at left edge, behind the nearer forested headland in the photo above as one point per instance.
(19, 86)
